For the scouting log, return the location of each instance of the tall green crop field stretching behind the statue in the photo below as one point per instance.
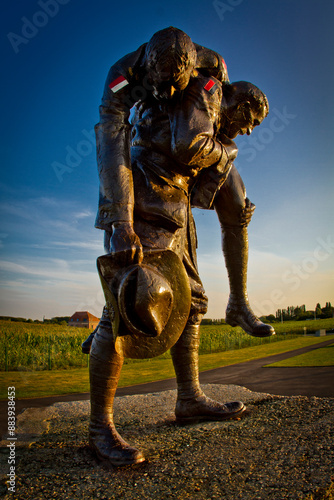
(34, 347)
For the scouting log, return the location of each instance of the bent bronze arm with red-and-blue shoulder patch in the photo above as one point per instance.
(194, 125)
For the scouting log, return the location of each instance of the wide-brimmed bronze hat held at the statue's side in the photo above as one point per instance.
(150, 305)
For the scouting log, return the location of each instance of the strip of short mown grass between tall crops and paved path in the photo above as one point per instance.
(30, 384)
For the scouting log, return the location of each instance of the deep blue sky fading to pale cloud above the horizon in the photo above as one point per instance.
(56, 56)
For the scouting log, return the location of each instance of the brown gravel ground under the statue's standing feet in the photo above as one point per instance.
(282, 448)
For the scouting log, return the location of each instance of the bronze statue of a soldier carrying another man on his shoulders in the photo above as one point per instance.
(181, 154)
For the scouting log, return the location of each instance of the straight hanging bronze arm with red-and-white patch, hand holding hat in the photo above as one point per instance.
(116, 199)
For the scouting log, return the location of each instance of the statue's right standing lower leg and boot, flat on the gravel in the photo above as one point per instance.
(192, 404)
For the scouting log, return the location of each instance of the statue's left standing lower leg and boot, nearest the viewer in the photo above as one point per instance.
(104, 371)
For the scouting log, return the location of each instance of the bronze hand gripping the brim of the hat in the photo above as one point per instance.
(125, 244)
